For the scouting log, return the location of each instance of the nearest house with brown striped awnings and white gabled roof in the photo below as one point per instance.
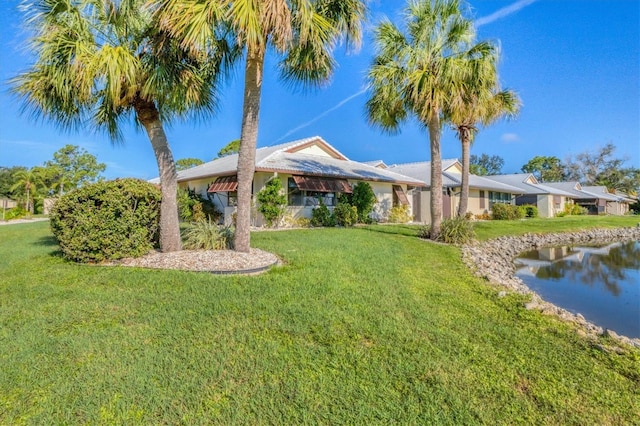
(309, 169)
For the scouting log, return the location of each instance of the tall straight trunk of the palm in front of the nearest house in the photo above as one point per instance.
(248, 143)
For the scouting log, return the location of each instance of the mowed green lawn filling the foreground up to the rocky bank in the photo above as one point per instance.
(358, 327)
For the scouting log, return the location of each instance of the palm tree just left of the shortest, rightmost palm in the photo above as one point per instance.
(415, 73)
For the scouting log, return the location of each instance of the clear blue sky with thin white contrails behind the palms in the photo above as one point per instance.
(575, 64)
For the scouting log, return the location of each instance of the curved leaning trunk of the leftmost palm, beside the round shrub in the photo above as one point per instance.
(148, 116)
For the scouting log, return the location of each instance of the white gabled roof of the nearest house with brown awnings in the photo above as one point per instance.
(300, 157)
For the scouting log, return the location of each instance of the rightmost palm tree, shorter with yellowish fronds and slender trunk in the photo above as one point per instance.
(478, 100)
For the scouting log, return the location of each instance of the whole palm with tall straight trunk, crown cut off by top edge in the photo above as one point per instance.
(304, 32)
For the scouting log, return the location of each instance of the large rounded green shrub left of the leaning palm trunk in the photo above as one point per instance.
(107, 220)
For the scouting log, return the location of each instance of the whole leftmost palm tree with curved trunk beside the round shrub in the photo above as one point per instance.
(103, 62)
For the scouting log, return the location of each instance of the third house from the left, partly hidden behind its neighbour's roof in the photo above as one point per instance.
(549, 200)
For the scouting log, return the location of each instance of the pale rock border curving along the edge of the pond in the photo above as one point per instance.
(493, 261)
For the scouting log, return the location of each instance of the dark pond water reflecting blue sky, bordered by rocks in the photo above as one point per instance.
(602, 283)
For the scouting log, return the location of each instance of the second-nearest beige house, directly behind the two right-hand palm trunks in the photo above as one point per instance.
(483, 192)
